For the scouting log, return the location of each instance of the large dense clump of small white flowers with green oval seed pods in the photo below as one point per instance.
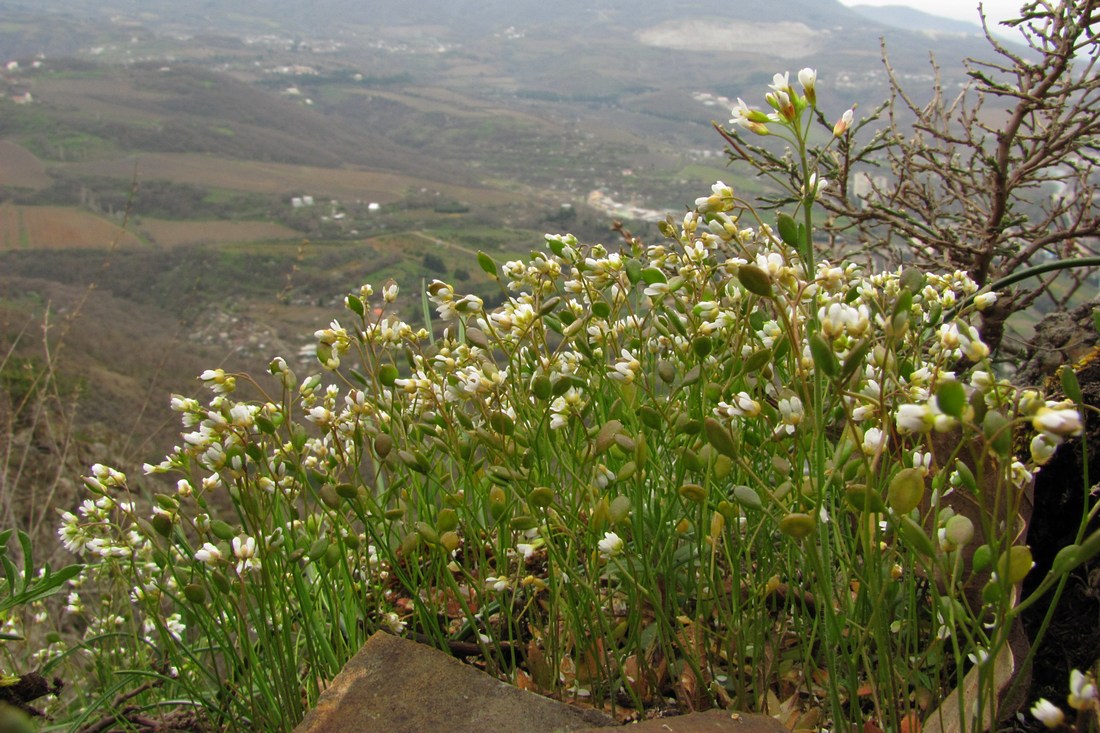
(718, 468)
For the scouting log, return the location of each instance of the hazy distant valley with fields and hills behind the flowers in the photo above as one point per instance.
(179, 156)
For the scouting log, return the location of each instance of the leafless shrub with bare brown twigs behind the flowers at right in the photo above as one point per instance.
(995, 179)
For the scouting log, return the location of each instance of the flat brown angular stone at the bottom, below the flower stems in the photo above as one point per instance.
(399, 686)
